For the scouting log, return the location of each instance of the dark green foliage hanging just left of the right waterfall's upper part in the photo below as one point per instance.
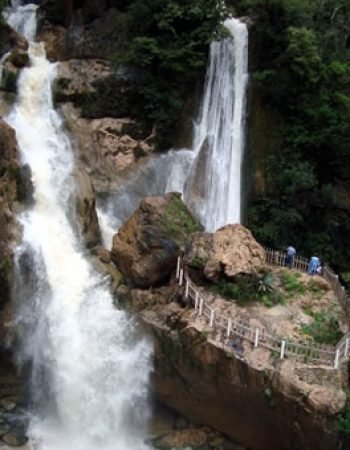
(167, 42)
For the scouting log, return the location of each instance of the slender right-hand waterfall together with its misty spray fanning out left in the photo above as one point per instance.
(209, 175)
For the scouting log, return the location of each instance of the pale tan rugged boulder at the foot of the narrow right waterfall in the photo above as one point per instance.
(230, 251)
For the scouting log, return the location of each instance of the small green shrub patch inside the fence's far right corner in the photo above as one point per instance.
(325, 328)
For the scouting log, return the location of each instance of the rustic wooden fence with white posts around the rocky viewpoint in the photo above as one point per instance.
(239, 326)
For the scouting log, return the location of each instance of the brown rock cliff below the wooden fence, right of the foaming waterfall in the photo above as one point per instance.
(248, 394)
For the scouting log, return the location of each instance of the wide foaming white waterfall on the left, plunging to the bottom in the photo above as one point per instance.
(89, 367)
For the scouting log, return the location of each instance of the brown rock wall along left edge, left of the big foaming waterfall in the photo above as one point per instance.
(12, 189)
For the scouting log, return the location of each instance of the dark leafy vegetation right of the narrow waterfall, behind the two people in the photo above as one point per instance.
(301, 71)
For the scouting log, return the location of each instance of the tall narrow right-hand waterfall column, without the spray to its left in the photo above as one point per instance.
(213, 188)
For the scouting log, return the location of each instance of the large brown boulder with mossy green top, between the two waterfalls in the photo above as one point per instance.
(147, 245)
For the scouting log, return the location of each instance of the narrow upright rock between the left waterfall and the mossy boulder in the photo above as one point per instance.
(85, 207)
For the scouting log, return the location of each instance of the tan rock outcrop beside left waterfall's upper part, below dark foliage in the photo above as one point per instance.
(107, 147)
